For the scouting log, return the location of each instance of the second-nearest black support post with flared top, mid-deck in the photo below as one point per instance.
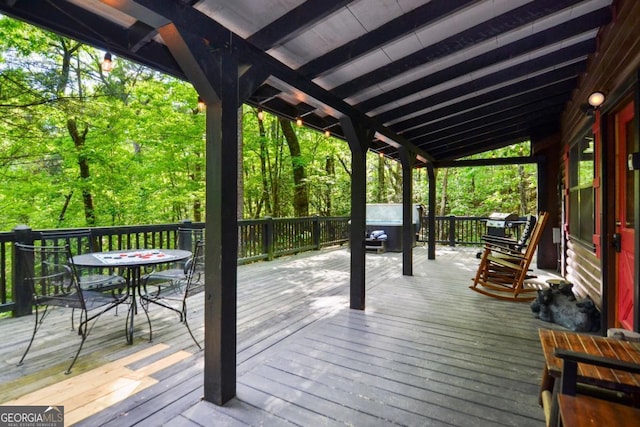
(359, 139)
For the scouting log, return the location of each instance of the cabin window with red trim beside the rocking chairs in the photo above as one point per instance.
(581, 191)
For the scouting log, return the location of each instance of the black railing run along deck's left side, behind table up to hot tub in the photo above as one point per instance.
(260, 239)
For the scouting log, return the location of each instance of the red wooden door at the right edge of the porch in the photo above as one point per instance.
(624, 238)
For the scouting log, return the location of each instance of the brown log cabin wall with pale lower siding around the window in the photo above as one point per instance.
(610, 69)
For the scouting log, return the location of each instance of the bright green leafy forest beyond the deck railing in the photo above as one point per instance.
(82, 147)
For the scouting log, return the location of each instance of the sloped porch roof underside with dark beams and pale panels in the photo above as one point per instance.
(445, 78)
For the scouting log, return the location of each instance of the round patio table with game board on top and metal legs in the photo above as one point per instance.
(132, 260)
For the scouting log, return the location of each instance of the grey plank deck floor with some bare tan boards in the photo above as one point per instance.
(426, 351)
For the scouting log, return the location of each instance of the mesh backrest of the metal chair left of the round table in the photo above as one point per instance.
(50, 274)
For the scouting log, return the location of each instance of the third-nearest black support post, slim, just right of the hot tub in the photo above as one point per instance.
(408, 231)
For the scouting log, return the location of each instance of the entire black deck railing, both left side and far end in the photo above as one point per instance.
(258, 239)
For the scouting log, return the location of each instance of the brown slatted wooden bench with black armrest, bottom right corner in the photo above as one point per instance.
(580, 386)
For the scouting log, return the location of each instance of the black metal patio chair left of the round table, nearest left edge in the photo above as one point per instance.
(52, 279)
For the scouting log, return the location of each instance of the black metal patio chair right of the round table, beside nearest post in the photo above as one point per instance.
(172, 290)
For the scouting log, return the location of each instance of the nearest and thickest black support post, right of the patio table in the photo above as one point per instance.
(221, 250)
